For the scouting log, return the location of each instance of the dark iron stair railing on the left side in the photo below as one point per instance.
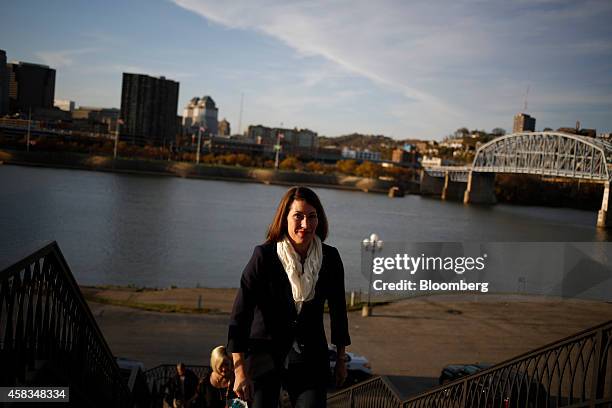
(48, 335)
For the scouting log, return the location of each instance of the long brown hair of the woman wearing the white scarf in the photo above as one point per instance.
(278, 227)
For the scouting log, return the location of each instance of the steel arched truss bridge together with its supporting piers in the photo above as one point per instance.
(542, 153)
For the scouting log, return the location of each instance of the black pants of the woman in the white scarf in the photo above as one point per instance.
(303, 383)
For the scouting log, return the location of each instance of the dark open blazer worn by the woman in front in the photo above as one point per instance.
(264, 318)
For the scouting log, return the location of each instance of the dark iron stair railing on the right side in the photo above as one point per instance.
(575, 371)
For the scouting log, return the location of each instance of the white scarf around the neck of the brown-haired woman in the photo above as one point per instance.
(302, 282)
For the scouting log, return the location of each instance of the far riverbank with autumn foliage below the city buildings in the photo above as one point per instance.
(68, 160)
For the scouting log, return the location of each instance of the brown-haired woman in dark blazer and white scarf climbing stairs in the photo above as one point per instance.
(276, 334)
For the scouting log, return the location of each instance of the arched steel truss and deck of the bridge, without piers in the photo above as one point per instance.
(543, 153)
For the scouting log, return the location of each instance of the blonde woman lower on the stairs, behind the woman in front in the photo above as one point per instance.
(215, 389)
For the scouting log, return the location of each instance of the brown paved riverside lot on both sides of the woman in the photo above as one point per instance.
(408, 338)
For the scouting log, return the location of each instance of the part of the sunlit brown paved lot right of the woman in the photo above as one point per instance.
(419, 337)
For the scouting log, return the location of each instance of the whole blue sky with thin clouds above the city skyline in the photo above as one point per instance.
(404, 69)
